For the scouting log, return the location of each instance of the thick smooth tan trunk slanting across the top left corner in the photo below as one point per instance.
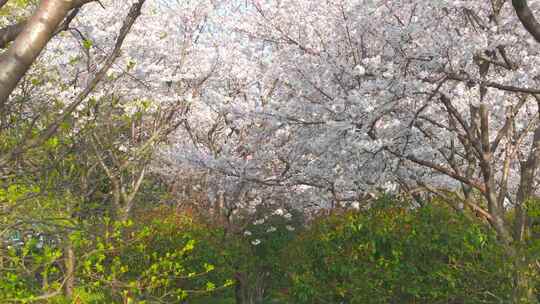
(28, 45)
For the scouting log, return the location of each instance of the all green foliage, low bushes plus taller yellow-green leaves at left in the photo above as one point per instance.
(391, 253)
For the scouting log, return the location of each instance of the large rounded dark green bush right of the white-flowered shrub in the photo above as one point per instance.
(397, 254)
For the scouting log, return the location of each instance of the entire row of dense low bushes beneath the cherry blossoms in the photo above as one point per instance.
(389, 253)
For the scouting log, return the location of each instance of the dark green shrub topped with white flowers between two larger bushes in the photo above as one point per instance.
(251, 257)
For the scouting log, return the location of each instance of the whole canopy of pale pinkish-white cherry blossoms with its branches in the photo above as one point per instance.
(308, 103)
